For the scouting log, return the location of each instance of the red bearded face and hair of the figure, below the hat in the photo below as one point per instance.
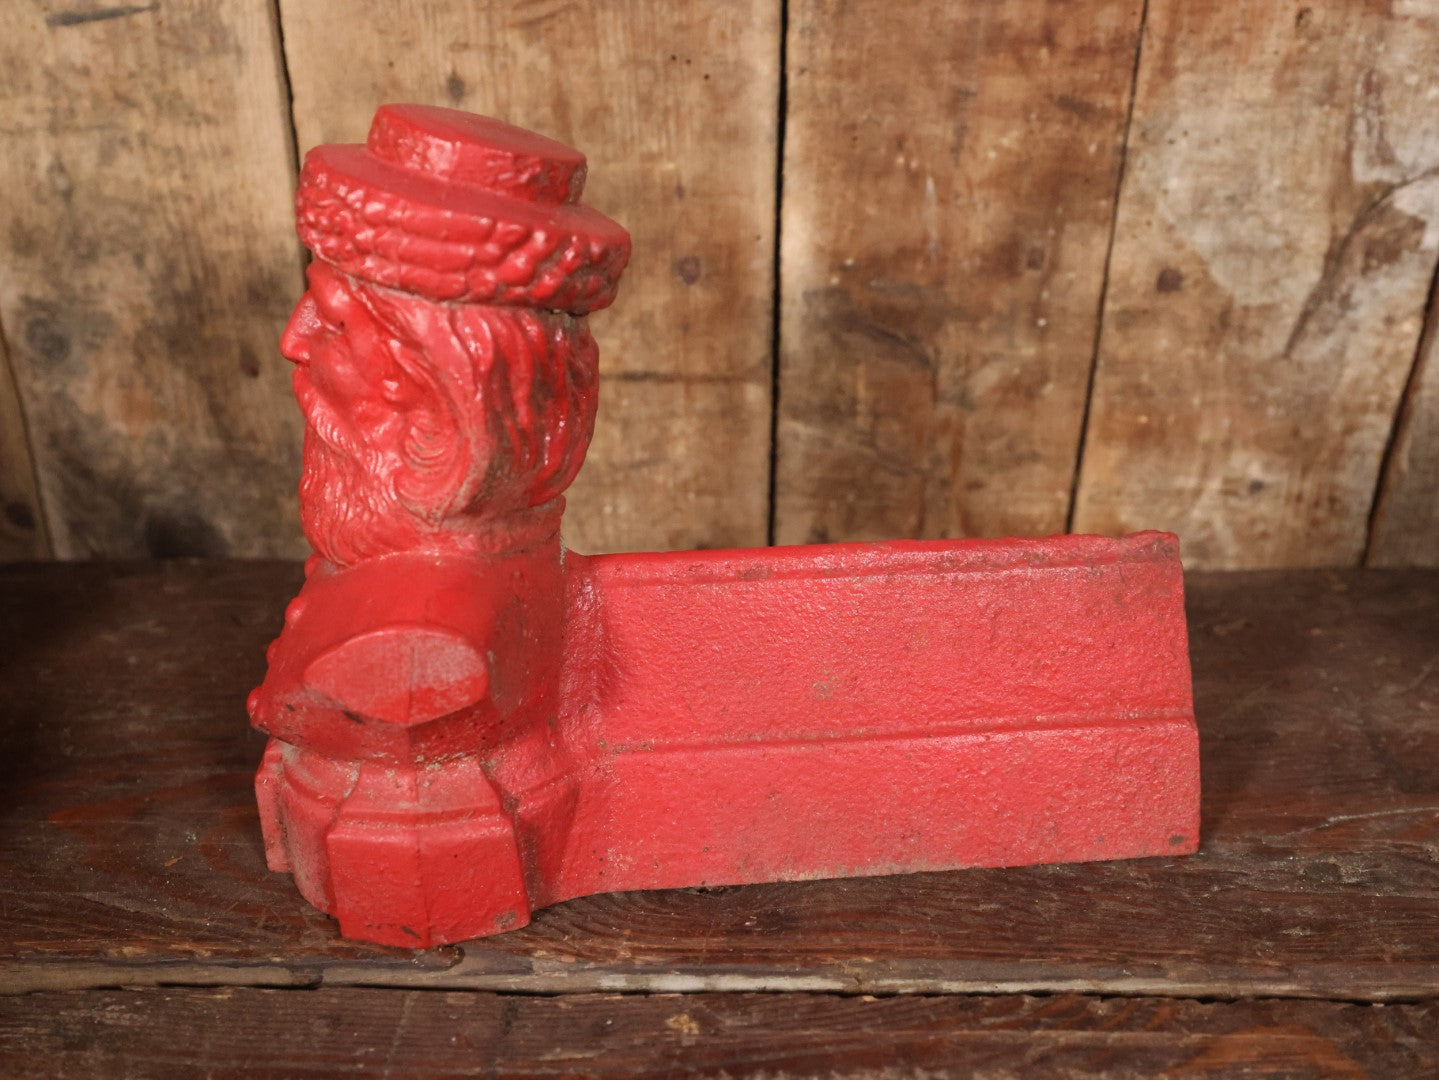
(467, 413)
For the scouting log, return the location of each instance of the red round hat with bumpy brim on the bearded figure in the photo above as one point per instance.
(461, 208)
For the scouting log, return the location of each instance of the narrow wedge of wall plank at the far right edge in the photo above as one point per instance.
(1407, 516)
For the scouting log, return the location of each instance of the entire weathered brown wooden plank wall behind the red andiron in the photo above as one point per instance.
(1096, 265)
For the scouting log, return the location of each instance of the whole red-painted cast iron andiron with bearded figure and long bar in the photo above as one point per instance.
(470, 723)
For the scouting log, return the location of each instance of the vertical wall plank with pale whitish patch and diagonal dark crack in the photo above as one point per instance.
(1276, 241)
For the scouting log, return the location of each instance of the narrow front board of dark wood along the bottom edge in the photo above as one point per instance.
(247, 1033)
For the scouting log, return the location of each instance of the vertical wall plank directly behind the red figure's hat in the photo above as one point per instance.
(676, 107)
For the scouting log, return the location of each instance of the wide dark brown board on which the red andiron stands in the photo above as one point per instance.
(130, 848)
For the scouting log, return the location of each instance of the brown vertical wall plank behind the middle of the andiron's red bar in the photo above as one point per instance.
(949, 186)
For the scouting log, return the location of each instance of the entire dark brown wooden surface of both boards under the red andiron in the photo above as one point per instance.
(143, 935)
